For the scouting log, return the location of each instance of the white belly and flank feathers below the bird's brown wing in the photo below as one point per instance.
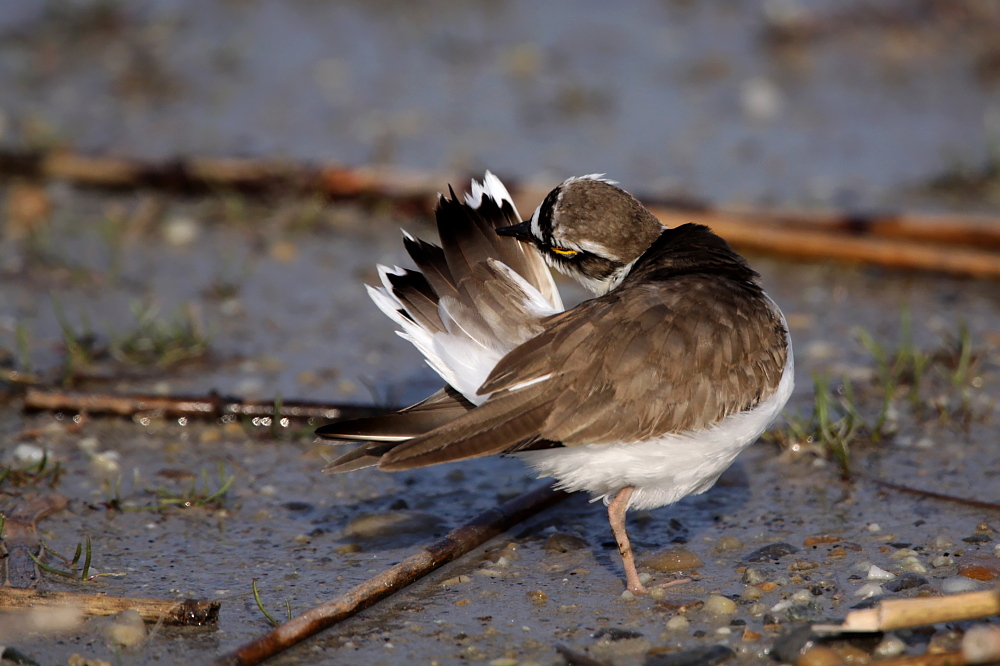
(664, 469)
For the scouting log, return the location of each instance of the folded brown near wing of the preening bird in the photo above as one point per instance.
(650, 347)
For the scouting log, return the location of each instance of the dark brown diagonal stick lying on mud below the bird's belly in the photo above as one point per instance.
(457, 542)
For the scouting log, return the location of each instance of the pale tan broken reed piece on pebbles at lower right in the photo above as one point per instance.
(900, 613)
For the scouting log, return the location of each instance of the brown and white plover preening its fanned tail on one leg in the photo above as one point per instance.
(641, 395)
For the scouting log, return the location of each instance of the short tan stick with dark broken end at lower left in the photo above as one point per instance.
(190, 612)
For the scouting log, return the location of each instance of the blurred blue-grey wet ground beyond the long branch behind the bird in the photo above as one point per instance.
(786, 101)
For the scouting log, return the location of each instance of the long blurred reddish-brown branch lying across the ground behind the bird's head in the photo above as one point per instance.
(946, 243)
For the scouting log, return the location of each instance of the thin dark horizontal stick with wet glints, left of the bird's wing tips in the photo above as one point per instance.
(212, 406)
